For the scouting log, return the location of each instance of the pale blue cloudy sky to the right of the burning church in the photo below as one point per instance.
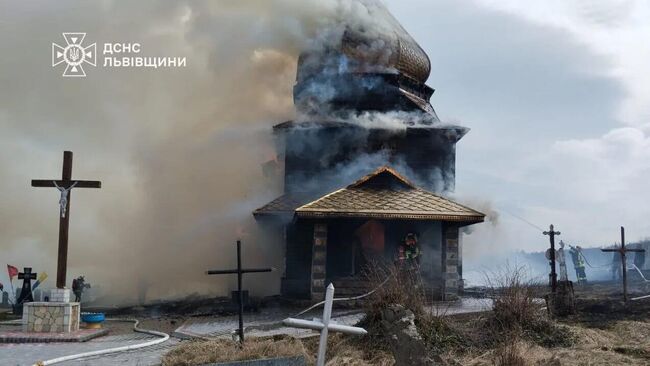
(557, 94)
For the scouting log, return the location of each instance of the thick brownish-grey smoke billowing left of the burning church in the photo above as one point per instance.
(179, 151)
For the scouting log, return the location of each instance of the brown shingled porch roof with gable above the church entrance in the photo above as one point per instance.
(383, 194)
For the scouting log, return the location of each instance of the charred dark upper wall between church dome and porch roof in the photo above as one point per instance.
(322, 157)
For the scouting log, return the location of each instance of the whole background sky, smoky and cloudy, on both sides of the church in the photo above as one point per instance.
(556, 94)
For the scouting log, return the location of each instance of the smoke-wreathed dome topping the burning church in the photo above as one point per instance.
(367, 64)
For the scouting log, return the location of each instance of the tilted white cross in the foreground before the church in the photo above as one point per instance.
(324, 325)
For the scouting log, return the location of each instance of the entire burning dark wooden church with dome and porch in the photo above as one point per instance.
(365, 166)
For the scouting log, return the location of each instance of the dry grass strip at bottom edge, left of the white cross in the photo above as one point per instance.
(202, 352)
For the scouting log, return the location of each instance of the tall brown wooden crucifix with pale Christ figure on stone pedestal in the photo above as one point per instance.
(64, 186)
